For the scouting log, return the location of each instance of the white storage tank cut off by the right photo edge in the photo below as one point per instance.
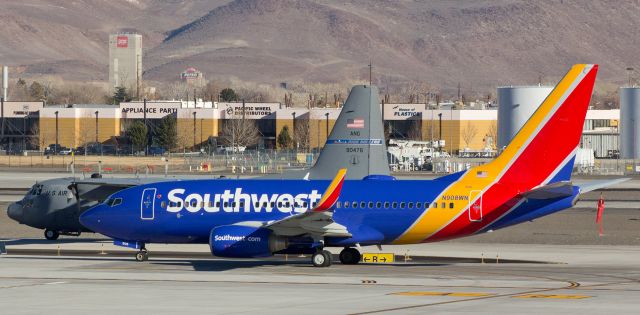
(629, 122)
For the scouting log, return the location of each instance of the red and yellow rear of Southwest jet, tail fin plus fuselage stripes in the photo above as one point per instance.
(542, 152)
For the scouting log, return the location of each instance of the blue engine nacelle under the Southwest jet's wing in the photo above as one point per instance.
(244, 241)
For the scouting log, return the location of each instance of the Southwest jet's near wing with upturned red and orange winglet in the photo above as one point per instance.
(317, 221)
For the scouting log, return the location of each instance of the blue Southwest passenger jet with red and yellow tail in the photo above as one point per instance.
(531, 178)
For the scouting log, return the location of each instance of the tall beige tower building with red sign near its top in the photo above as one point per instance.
(125, 61)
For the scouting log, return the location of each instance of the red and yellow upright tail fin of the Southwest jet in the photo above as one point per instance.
(548, 140)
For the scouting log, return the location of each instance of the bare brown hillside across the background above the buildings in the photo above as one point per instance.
(478, 43)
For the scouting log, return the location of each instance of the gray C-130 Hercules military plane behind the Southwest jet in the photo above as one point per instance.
(356, 142)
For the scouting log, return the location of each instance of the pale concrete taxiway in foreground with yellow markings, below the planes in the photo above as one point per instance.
(81, 284)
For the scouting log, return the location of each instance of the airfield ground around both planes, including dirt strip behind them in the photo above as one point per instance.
(557, 264)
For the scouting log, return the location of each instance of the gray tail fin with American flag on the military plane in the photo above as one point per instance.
(356, 141)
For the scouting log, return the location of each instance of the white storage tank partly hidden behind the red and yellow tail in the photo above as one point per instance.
(516, 104)
